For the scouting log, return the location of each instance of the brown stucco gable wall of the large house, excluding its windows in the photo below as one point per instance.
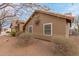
(59, 25)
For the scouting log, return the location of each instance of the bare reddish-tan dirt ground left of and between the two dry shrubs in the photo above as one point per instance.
(39, 47)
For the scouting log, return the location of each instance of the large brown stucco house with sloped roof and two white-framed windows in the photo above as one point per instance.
(45, 23)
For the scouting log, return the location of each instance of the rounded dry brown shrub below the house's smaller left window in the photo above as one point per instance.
(24, 39)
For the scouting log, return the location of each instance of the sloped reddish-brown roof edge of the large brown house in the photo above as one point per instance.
(51, 14)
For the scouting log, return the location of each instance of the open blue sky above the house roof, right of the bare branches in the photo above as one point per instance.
(62, 8)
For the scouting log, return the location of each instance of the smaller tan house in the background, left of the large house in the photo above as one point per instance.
(17, 25)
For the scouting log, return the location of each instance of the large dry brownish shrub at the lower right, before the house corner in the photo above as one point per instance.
(65, 47)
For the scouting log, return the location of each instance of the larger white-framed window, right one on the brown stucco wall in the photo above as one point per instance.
(47, 29)
